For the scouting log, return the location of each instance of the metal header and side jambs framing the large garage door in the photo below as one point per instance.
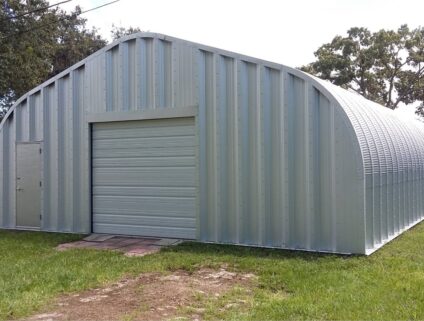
(139, 115)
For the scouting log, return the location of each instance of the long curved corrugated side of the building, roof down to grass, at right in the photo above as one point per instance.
(393, 151)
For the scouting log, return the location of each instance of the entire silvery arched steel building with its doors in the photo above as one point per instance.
(158, 136)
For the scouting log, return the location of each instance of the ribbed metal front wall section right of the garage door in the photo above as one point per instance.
(274, 156)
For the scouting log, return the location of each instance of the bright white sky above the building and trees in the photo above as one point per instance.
(286, 32)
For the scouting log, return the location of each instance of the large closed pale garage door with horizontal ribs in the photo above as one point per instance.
(144, 178)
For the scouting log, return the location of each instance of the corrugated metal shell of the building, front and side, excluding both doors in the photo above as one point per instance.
(285, 160)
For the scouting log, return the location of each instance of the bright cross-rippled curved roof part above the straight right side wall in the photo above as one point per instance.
(383, 135)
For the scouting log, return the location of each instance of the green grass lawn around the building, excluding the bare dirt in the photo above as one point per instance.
(388, 285)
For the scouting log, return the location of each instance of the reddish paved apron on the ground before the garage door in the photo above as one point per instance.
(131, 246)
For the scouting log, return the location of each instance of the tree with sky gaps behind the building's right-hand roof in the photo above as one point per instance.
(385, 66)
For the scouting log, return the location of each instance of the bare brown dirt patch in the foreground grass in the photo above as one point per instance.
(151, 296)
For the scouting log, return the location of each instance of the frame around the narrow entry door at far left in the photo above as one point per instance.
(28, 228)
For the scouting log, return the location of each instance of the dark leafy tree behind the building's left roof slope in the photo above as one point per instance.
(37, 43)
